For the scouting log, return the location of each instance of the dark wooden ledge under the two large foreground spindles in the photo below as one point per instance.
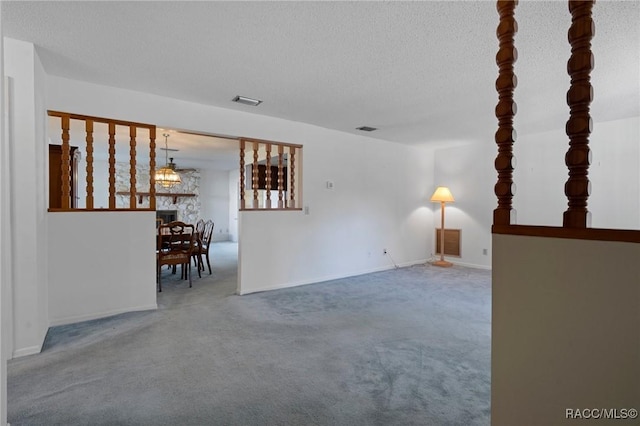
(596, 234)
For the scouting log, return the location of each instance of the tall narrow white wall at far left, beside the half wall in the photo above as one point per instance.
(30, 316)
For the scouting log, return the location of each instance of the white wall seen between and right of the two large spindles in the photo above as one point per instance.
(540, 175)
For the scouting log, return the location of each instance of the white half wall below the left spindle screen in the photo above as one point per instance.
(100, 264)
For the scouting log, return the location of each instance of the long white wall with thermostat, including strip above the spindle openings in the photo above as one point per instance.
(379, 200)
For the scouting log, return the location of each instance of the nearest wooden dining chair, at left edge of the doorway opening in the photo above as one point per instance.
(176, 242)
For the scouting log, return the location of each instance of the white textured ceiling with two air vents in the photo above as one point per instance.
(421, 72)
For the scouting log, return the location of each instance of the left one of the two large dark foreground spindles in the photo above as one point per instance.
(505, 111)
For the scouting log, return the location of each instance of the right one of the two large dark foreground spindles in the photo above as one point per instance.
(579, 125)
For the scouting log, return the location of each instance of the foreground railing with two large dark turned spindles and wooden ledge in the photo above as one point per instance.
(576, 220)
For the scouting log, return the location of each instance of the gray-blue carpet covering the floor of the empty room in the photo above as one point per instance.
(409, 346)
